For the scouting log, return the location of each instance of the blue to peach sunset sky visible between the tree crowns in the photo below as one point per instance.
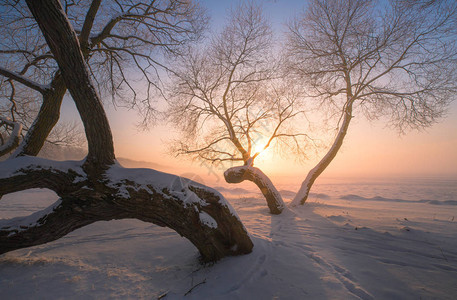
(369, 150)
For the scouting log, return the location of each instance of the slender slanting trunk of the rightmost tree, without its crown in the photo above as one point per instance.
(303, 192)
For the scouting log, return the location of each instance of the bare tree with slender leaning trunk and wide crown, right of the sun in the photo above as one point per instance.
(391, 59)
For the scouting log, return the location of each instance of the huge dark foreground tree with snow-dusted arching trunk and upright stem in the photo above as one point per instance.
(99, 189)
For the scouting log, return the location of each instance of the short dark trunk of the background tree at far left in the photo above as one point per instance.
(45, 121)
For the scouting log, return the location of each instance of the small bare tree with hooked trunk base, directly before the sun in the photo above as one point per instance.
(230, 102)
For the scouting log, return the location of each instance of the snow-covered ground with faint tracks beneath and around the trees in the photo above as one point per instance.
(367, 239)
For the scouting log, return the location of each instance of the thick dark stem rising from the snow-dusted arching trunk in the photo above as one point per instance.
(64, 45)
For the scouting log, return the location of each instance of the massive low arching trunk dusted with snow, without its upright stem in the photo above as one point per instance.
(198, 213)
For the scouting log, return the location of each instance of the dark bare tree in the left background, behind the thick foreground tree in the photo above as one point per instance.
(124, 42)
